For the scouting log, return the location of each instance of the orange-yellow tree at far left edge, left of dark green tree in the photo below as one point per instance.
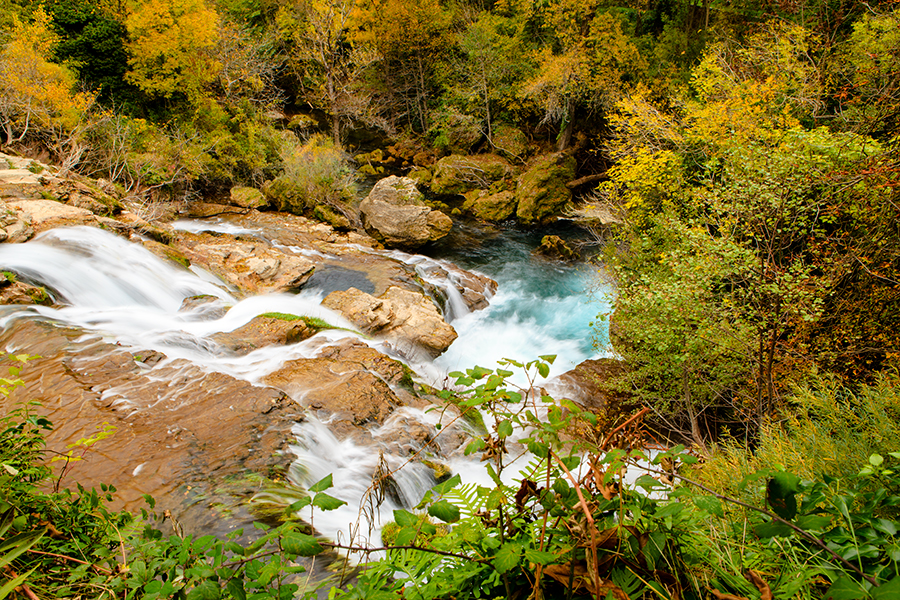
(34, 92)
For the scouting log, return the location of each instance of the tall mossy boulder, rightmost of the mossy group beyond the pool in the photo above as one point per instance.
(541, 191)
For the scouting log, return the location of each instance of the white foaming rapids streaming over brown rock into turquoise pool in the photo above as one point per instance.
(118, 290)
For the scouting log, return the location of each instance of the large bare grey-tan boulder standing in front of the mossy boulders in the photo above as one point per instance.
(395, 214)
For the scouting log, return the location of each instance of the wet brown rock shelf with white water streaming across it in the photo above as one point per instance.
(183, 428)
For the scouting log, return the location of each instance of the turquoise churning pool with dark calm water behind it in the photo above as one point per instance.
(542, 306)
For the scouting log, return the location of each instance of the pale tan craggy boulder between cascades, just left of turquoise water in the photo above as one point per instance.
(409, 320)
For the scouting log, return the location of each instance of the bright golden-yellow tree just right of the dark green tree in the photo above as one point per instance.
(171, 45)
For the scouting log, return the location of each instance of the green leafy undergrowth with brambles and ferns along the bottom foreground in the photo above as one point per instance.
(599, 516)
